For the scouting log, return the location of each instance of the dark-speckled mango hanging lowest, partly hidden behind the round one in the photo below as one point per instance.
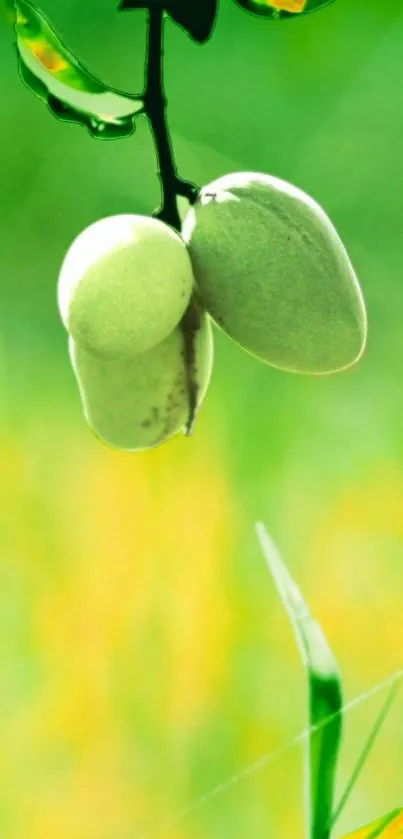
(141, 402)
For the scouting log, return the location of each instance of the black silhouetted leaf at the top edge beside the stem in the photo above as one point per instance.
(196, 17)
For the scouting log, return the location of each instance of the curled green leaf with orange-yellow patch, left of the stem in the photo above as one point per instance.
(67, 88)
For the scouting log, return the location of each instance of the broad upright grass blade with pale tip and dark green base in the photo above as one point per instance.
(325, 696)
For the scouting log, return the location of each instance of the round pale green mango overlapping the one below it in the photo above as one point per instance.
(124, 285)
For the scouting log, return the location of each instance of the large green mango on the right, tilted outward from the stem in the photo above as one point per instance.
(273, 273)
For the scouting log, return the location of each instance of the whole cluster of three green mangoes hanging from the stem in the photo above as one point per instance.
(255, 254)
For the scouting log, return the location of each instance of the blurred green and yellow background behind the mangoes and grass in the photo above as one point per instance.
(144, 657)
